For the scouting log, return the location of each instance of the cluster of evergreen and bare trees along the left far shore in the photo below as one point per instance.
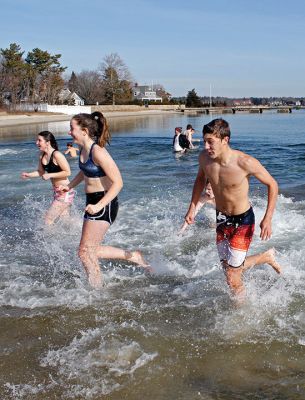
(38, 77)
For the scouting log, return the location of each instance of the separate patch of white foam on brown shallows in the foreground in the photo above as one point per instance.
(99, 360)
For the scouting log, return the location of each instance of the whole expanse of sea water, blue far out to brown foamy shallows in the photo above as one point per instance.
(175, 334)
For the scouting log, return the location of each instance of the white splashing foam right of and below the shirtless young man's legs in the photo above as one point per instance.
(268, 311)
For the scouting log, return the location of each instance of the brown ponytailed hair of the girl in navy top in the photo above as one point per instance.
(96, 125)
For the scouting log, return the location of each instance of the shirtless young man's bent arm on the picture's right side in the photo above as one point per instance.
(264, 177)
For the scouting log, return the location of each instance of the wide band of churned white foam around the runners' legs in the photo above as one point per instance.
(55, 276)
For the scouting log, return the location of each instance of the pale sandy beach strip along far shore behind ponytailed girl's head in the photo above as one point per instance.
(22, 119)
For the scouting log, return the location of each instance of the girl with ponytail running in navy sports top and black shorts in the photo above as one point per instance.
(103, 182)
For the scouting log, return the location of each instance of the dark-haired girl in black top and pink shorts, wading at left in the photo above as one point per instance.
(53, 166)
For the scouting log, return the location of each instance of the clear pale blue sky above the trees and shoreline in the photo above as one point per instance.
(241, 48)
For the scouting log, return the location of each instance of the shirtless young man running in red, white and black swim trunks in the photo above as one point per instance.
(229, 171)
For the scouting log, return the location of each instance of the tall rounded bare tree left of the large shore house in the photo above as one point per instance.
(116, 78)
